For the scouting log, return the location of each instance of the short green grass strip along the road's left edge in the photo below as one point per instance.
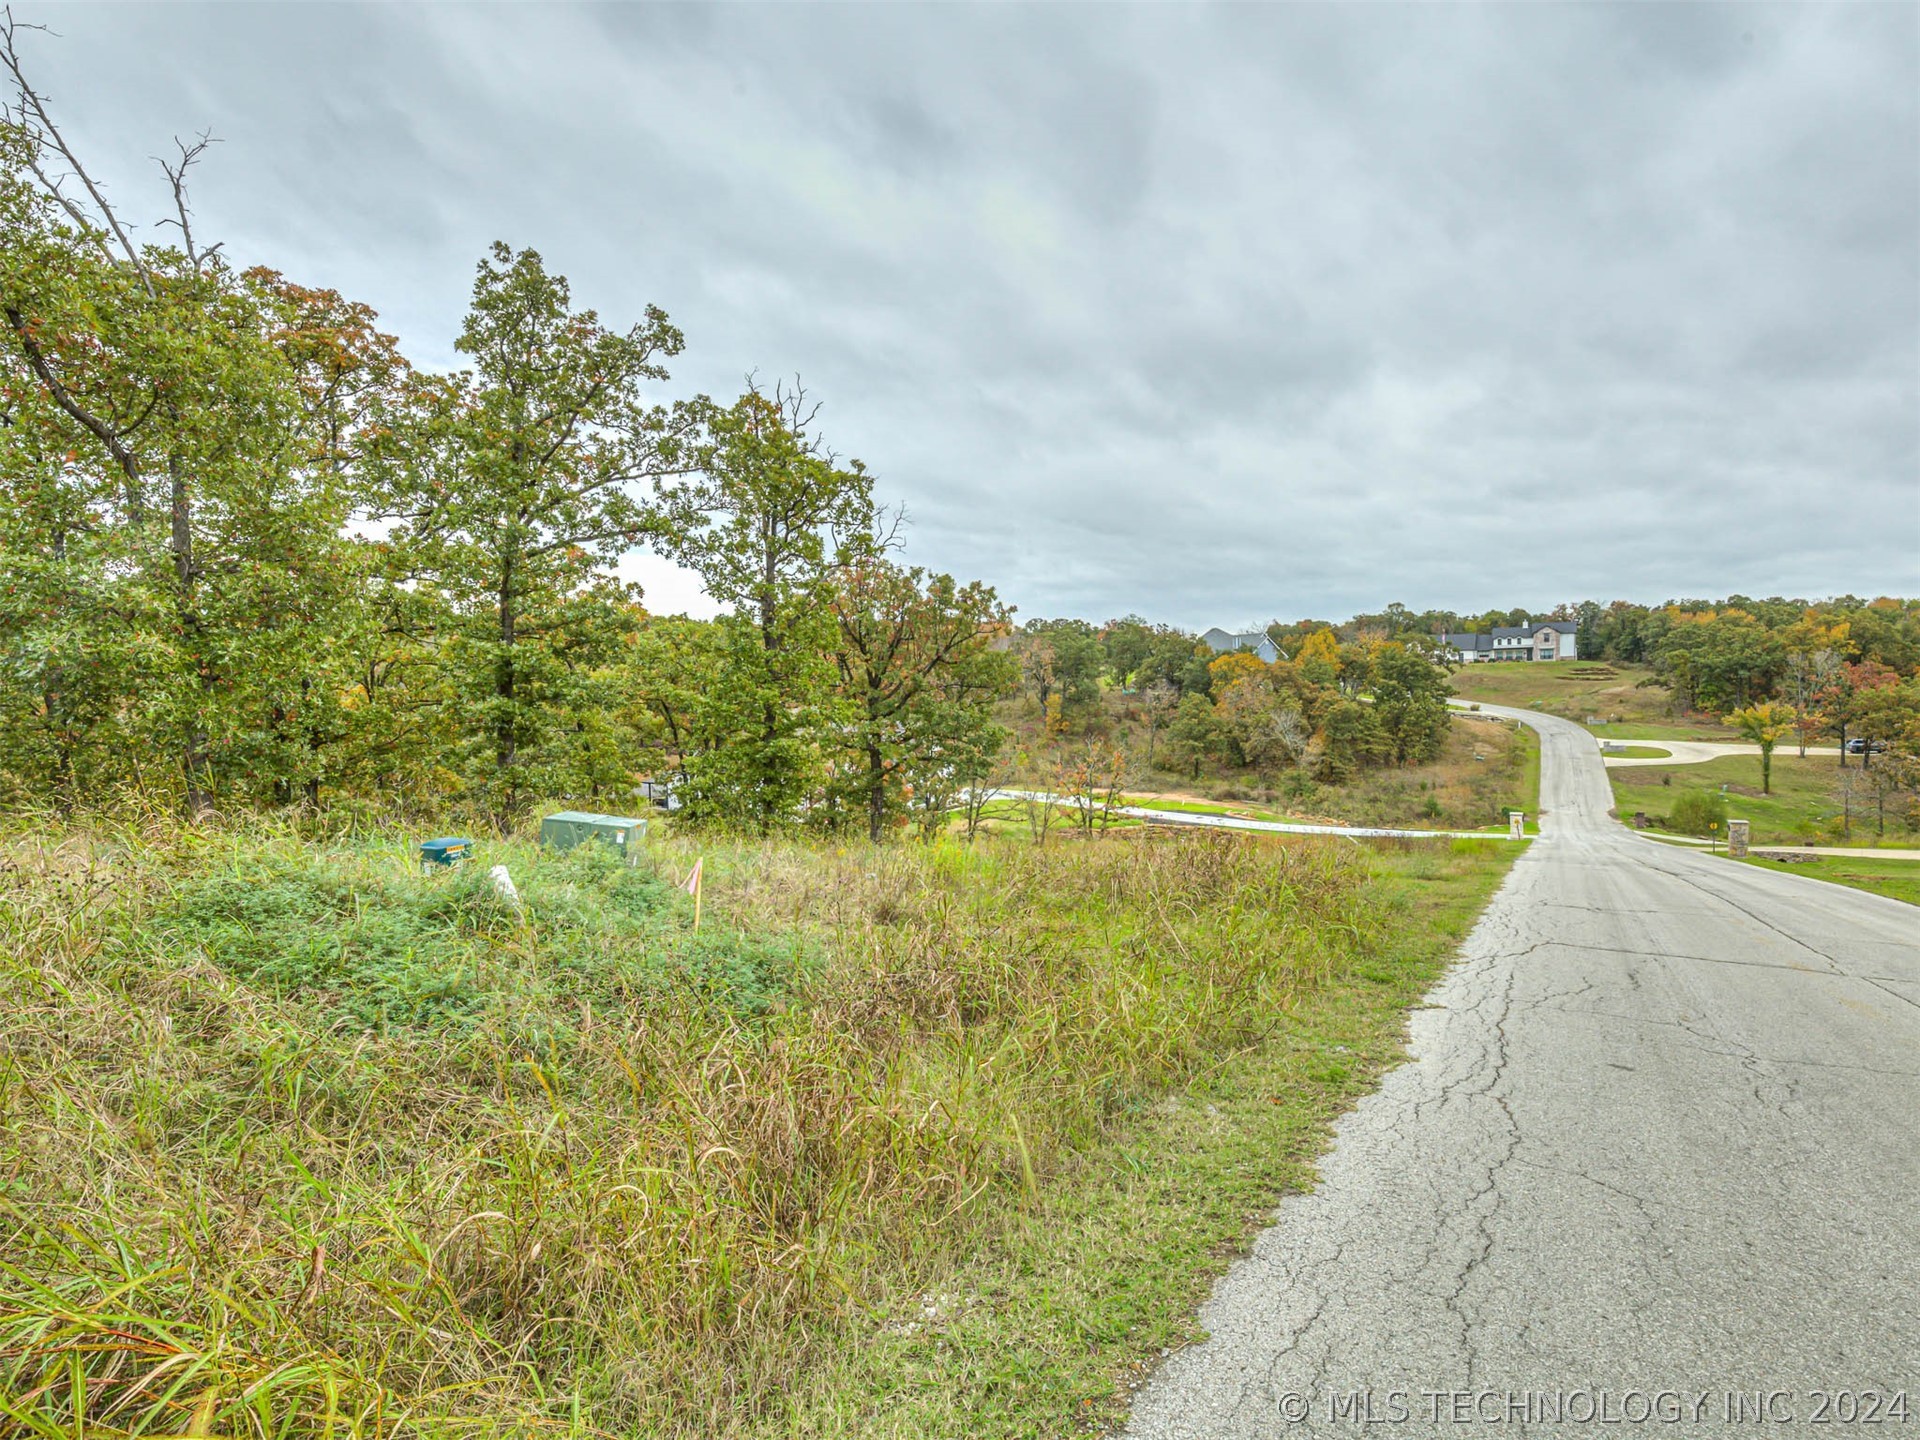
(1047, 1330)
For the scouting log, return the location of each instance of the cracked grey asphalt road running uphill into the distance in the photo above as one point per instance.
(1660, 1143)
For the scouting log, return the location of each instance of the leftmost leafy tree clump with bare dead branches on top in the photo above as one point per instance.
(170, 500)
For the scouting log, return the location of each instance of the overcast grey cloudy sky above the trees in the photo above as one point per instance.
(1212, 314)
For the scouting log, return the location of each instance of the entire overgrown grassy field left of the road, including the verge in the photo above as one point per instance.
(909, 1141)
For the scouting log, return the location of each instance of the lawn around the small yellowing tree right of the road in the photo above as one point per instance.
(1806, 804)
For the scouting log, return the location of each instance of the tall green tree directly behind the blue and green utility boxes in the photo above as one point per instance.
(516, 485)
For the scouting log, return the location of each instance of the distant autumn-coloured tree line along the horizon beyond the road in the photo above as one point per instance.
(1370, 690)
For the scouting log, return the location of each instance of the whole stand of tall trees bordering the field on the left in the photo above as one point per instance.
(252, 556)
